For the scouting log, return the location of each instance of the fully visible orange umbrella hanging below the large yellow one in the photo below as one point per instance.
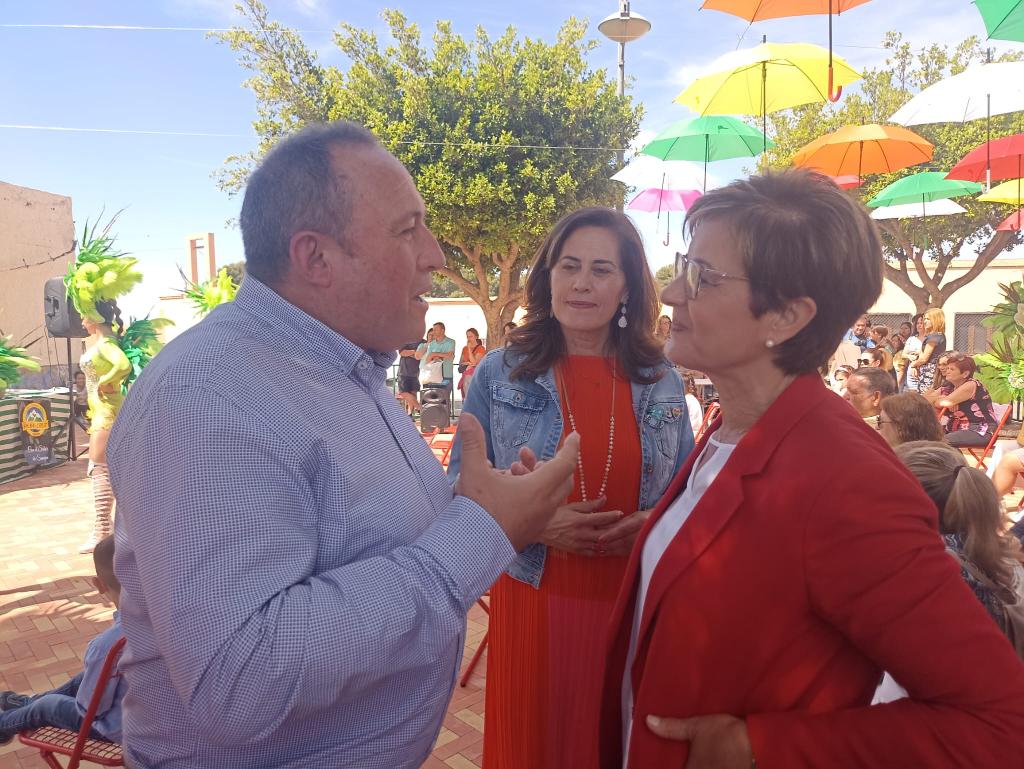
(865, 150)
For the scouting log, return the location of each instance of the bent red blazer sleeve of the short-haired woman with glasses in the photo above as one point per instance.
(877, 570)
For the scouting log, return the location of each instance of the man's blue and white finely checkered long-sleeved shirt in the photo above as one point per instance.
(295, 571)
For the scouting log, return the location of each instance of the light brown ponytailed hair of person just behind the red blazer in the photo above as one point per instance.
(968, 506)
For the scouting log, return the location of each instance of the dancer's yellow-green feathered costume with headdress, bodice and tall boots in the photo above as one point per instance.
(98, 277)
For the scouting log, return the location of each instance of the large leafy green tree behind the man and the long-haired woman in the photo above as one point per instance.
(502, 136)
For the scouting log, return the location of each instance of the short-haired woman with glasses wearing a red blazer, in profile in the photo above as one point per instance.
(793, 560)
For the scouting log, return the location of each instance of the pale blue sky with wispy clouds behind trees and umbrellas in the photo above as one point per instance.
(177, 81)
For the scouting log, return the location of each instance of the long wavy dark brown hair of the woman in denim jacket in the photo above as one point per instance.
(539, 338)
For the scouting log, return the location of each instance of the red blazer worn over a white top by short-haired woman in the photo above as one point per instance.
(809, 567)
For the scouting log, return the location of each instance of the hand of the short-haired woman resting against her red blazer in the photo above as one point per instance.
(716, 742)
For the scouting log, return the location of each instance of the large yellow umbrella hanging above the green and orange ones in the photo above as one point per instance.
(765, 79)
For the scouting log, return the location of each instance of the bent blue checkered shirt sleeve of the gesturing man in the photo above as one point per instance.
(224, 523)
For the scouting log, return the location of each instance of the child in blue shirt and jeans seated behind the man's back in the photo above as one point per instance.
(66, 707)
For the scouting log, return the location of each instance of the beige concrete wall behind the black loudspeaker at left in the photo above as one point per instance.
(37, 240)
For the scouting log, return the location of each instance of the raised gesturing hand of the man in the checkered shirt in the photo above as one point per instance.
(523, 504)
